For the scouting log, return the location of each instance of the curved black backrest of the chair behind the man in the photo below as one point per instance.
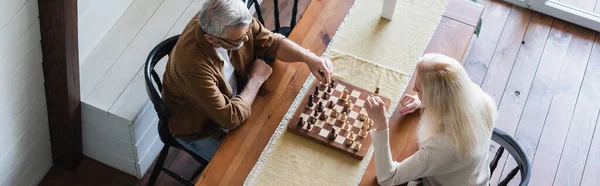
(154, 85)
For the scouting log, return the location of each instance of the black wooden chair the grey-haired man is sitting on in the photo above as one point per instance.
(152, 79)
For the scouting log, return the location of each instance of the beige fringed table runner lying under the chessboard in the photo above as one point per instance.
(367, 51)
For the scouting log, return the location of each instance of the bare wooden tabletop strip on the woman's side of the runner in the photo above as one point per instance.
(451, 37)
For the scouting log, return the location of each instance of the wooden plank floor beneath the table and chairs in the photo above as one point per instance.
(542, 72)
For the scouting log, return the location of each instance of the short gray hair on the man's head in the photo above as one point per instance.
(218, 15)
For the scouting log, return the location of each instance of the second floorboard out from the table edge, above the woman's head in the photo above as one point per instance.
(506, 52)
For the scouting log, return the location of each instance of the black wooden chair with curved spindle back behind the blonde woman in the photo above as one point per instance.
(513, 147)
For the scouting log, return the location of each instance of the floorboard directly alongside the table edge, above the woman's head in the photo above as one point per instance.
(494, 18)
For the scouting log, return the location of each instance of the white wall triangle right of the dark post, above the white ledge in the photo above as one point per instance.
(95, 19)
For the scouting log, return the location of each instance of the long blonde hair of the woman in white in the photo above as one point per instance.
(453, 104)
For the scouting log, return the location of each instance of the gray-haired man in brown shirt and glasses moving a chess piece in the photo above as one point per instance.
(212, 77)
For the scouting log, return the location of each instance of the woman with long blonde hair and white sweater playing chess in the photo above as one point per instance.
(454, 132)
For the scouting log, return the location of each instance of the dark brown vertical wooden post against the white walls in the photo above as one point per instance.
(58, 22)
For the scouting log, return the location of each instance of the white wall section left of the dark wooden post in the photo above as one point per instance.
(25, 154)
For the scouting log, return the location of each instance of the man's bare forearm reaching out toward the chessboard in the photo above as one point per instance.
(292, 52)
